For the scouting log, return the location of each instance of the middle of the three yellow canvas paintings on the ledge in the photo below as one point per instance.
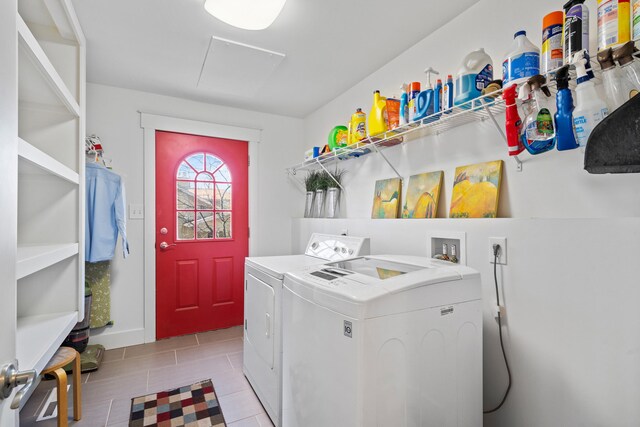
(422, 196)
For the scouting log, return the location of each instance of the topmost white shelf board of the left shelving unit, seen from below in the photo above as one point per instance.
(39, 81)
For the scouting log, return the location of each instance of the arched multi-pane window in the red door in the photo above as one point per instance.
(203, 198)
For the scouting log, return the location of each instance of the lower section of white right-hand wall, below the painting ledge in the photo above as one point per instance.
(571, 294)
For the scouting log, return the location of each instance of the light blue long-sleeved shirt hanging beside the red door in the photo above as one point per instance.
(105, 214)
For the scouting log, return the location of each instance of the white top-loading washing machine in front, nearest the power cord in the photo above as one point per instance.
(382, 341)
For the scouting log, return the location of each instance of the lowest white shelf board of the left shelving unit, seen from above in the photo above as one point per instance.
(38, 338)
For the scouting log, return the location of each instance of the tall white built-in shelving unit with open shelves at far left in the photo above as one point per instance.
(48, 148)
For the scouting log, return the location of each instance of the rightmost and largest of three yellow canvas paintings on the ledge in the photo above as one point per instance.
(476, 190)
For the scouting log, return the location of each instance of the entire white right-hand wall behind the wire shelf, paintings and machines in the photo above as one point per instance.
(570, 287)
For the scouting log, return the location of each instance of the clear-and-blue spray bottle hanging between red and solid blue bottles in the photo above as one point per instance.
(538, 132)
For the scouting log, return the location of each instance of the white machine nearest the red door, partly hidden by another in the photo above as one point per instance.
(262, 311)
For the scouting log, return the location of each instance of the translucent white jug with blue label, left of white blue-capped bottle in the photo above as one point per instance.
(476, 73)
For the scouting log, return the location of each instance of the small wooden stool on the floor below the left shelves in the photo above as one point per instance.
(63, 357)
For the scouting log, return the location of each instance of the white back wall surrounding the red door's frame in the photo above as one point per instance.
(112, 114)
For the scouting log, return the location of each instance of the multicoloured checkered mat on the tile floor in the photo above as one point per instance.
(192, 405)
